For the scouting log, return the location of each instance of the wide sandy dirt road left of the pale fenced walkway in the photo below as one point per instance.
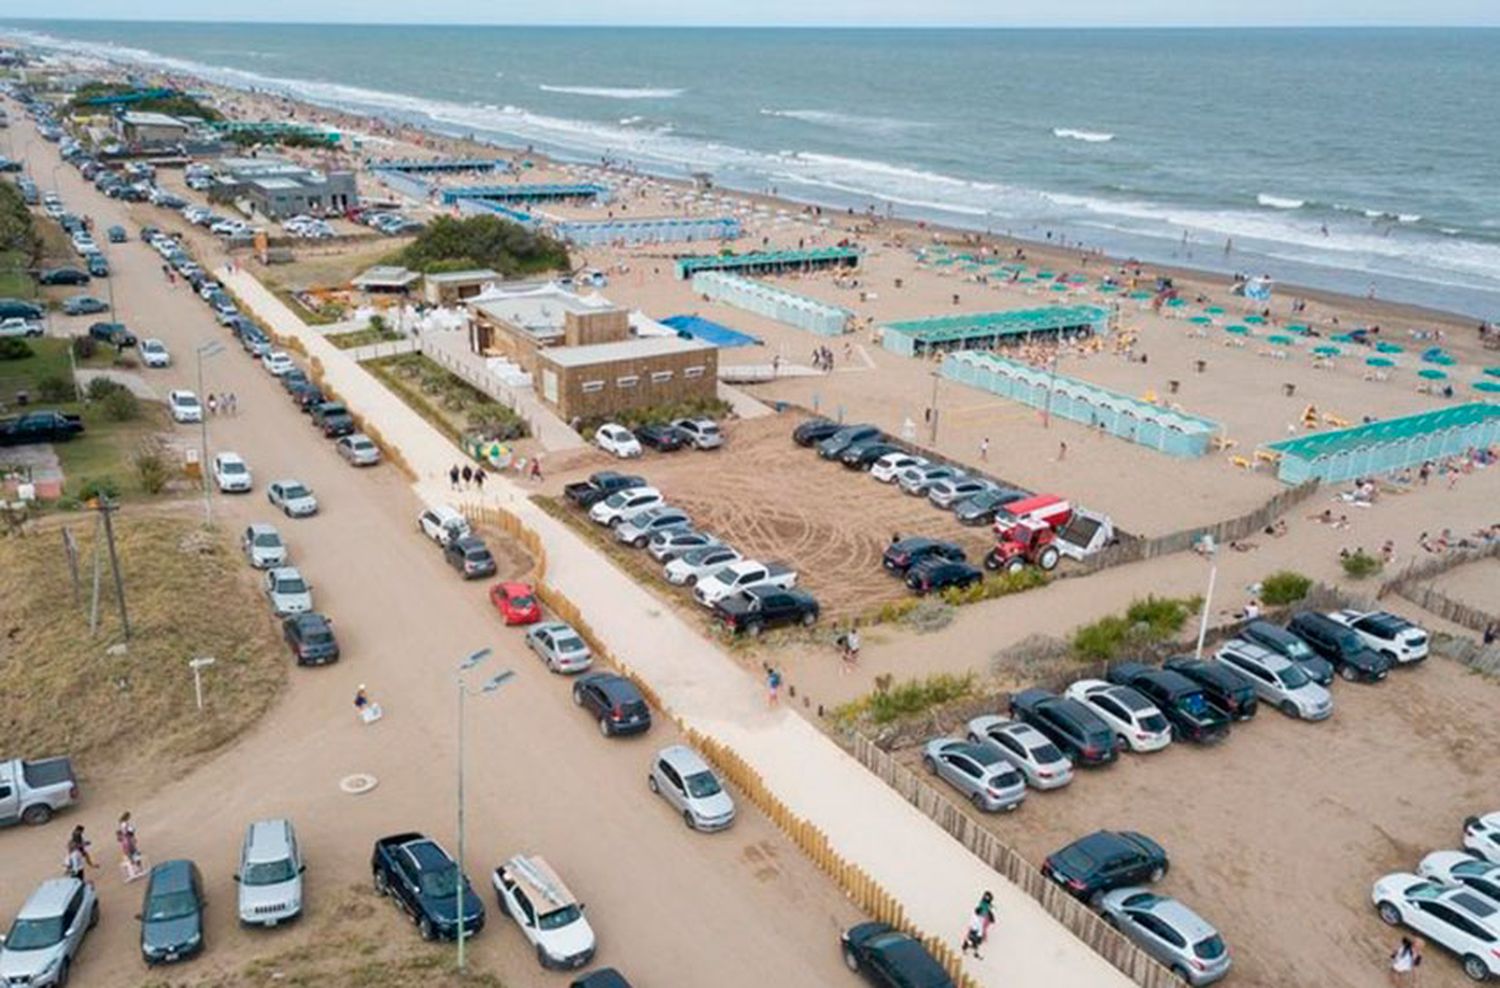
(671, 908)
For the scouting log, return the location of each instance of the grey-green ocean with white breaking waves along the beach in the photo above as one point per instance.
(1340, 160)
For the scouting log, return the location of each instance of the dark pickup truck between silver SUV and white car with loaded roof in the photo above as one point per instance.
(425, 882)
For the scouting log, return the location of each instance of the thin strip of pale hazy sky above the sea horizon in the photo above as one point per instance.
(905, 13)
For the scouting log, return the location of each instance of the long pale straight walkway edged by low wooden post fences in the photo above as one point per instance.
(934, 878)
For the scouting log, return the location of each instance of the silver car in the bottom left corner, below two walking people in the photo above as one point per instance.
(46, 938)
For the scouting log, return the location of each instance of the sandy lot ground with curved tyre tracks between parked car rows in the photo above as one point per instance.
(776, 501)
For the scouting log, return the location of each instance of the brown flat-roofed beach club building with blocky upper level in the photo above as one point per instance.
(584, 355)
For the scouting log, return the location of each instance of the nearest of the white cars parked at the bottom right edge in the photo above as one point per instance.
(1459, 920)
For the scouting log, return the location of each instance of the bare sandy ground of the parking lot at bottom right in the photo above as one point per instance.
(1277, 834)
